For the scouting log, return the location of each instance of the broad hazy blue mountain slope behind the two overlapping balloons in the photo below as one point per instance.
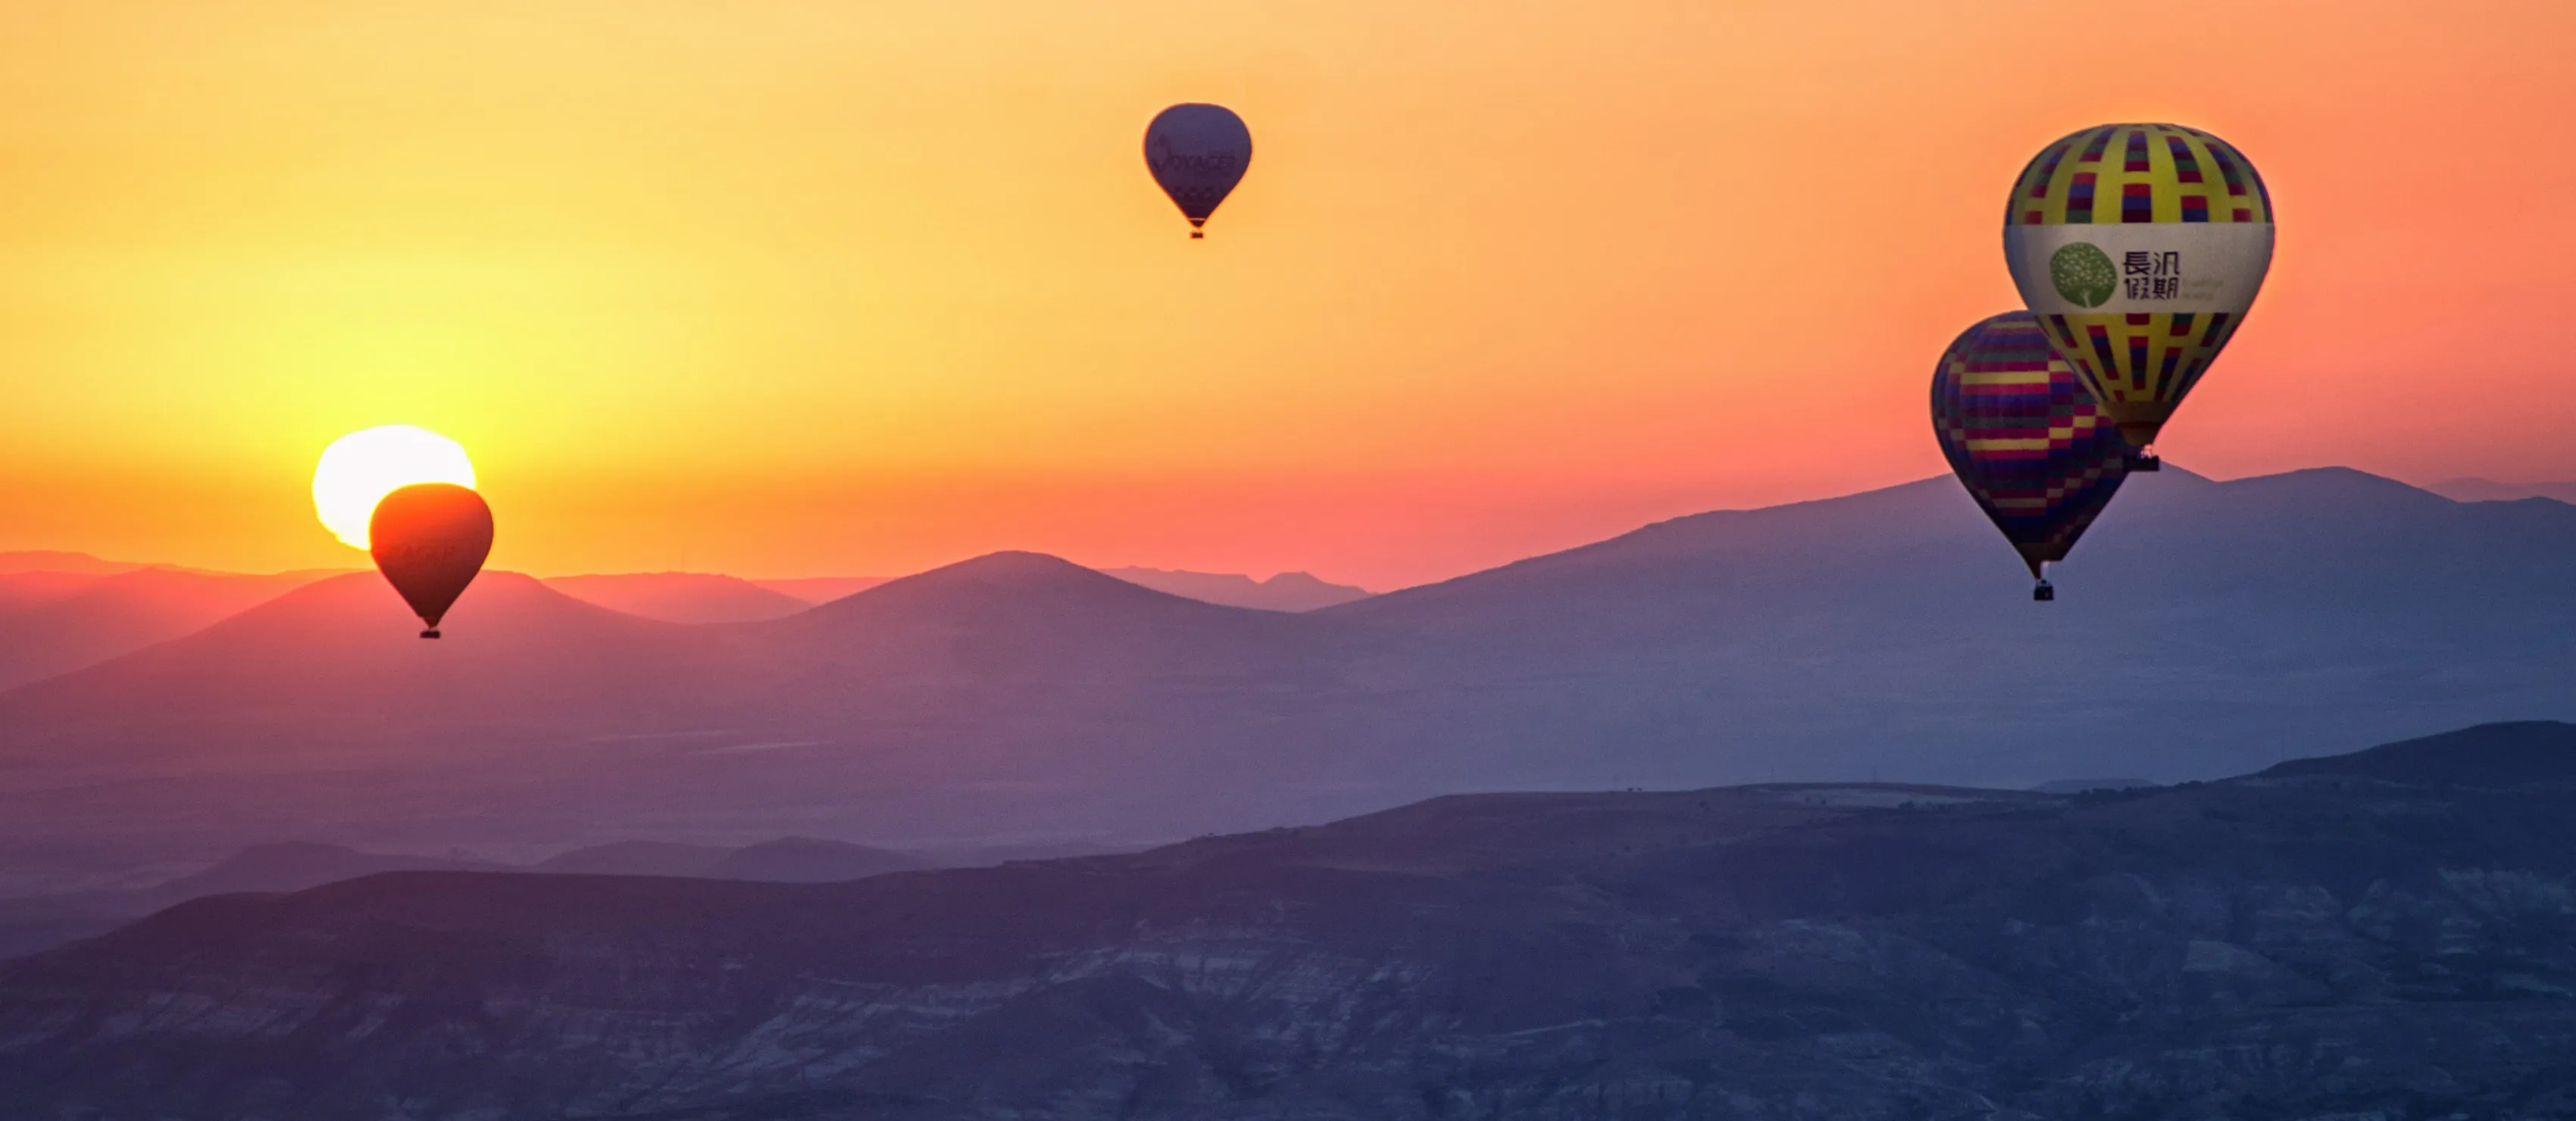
(2204, 628)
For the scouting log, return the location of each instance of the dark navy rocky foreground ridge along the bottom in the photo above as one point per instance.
(2374, 937)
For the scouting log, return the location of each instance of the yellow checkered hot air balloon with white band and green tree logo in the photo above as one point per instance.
(2142, 249)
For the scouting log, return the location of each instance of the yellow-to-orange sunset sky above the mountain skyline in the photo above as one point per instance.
(792, 287)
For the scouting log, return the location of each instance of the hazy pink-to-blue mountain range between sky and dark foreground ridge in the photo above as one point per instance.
(2204, 630)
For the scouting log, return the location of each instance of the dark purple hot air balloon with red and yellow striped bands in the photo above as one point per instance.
(2026, 439)
